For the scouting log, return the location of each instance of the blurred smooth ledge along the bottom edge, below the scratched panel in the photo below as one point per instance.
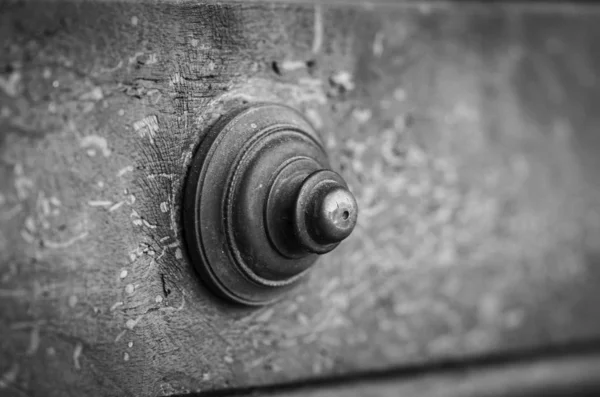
(544, 374)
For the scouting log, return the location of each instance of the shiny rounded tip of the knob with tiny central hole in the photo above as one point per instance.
(335, 215)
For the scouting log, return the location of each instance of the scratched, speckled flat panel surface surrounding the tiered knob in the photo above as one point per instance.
(467, 137)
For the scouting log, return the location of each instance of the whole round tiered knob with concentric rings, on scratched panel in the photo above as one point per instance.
(261, 204)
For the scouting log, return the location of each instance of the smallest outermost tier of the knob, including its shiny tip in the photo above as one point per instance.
(325, 212)
